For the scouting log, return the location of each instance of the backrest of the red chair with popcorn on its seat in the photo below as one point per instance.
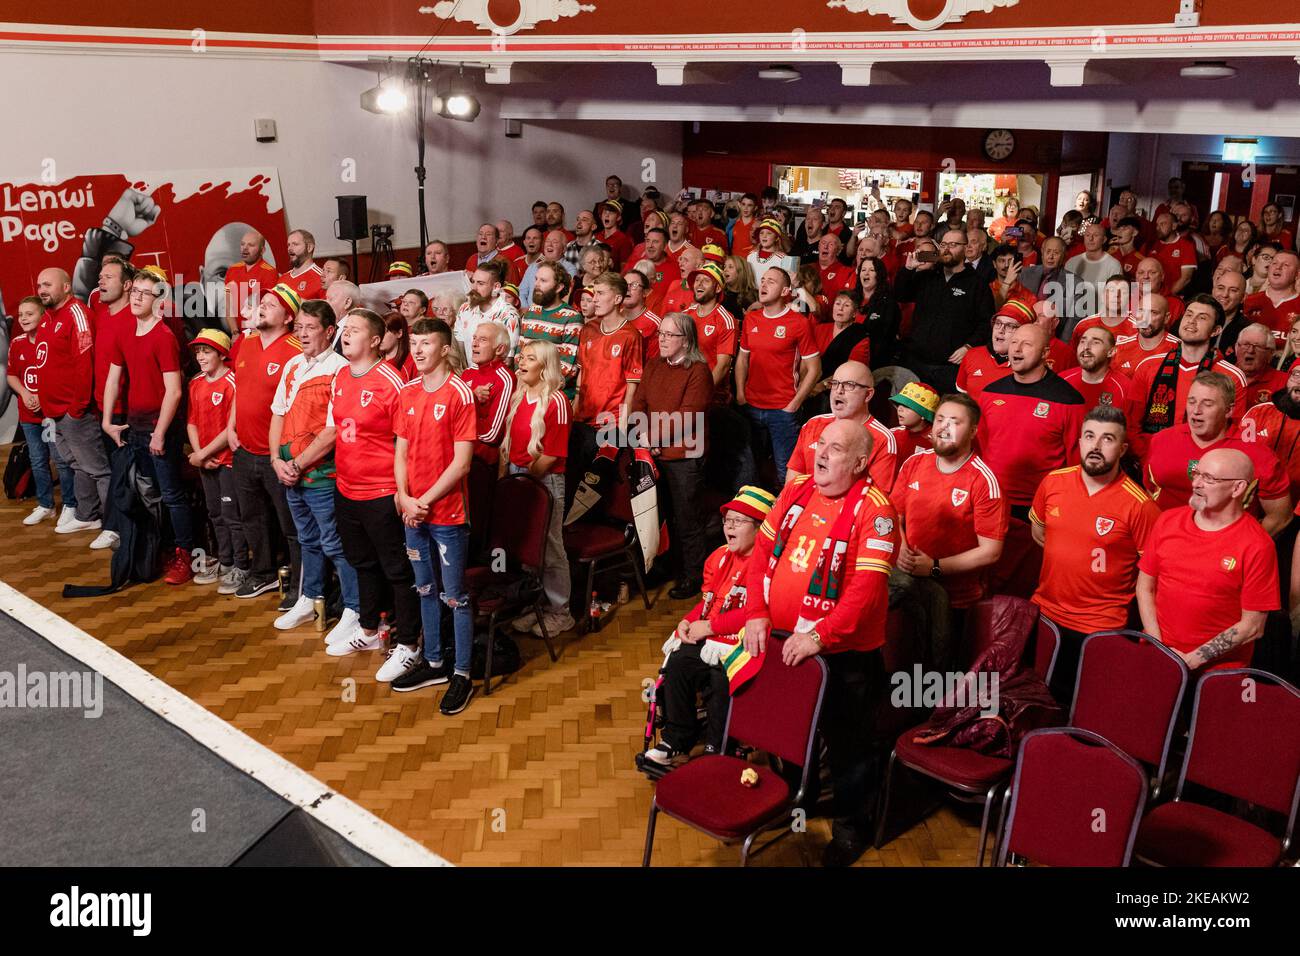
(778, 710)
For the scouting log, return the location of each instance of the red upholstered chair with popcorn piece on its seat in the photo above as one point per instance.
(777, 712)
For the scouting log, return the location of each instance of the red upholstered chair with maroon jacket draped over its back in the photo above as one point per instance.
(969, 776)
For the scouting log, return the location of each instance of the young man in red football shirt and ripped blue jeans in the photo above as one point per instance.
(436, 431)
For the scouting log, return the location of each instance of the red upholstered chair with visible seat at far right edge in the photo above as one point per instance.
(1243, 743)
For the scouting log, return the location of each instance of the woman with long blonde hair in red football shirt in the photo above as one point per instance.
(538, 432)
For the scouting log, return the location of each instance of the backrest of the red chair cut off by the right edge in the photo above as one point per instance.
(1245, 739)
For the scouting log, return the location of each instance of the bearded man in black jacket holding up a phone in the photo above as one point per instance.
(952, 315)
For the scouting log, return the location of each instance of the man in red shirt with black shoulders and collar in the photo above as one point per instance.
(1029, 421)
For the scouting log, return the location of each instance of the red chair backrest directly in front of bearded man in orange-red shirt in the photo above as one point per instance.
(1130, 691)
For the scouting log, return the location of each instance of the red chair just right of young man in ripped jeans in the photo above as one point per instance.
(522, 514)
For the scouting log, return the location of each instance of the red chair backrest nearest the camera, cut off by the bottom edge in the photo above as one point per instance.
(1077, 801)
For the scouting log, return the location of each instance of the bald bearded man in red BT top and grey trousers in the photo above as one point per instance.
(64, 378)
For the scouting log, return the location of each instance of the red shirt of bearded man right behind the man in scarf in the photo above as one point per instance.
(947, 514)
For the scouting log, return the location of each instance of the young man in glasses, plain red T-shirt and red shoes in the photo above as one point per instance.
(151, 357)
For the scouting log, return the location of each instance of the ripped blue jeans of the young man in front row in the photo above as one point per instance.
(443, 582)
